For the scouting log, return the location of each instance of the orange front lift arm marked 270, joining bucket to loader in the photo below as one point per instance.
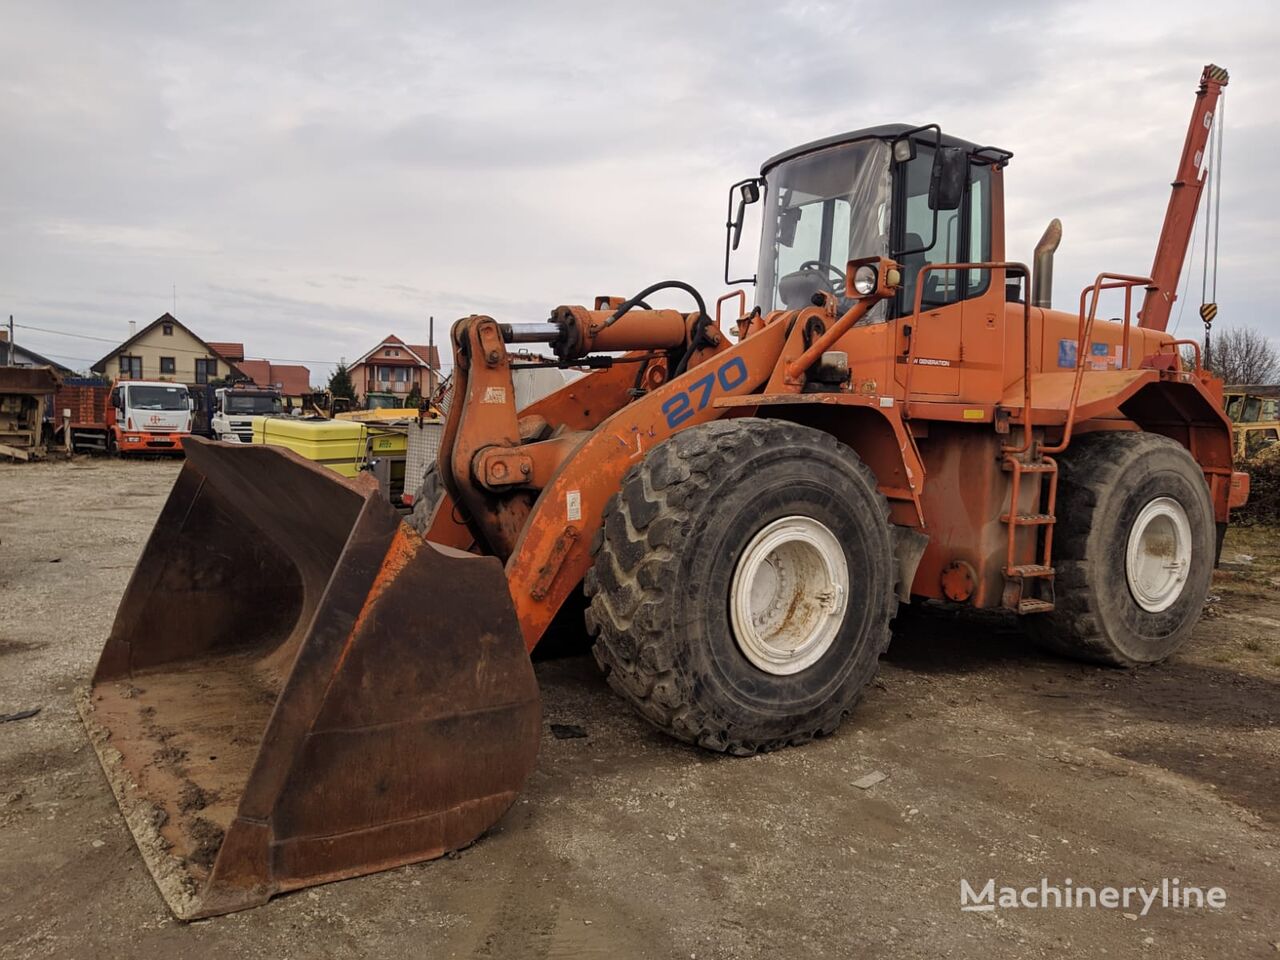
(538, 505)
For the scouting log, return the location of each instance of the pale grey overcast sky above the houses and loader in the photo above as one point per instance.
(312, 177)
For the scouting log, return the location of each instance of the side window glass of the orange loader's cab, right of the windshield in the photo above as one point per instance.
(962, 236)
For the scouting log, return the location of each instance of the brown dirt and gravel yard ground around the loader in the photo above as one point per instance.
(1002, 764)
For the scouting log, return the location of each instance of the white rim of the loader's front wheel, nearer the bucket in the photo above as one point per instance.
(789, 596)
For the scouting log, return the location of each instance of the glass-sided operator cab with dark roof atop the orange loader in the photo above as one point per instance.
(911, 194)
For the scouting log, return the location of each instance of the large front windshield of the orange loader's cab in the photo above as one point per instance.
(822, 211)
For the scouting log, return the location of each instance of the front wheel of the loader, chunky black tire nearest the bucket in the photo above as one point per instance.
(743, 586)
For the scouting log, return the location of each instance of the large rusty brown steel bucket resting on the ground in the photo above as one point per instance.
(300, 689)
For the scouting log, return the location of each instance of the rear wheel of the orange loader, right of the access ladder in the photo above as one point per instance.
(1133, 550)
